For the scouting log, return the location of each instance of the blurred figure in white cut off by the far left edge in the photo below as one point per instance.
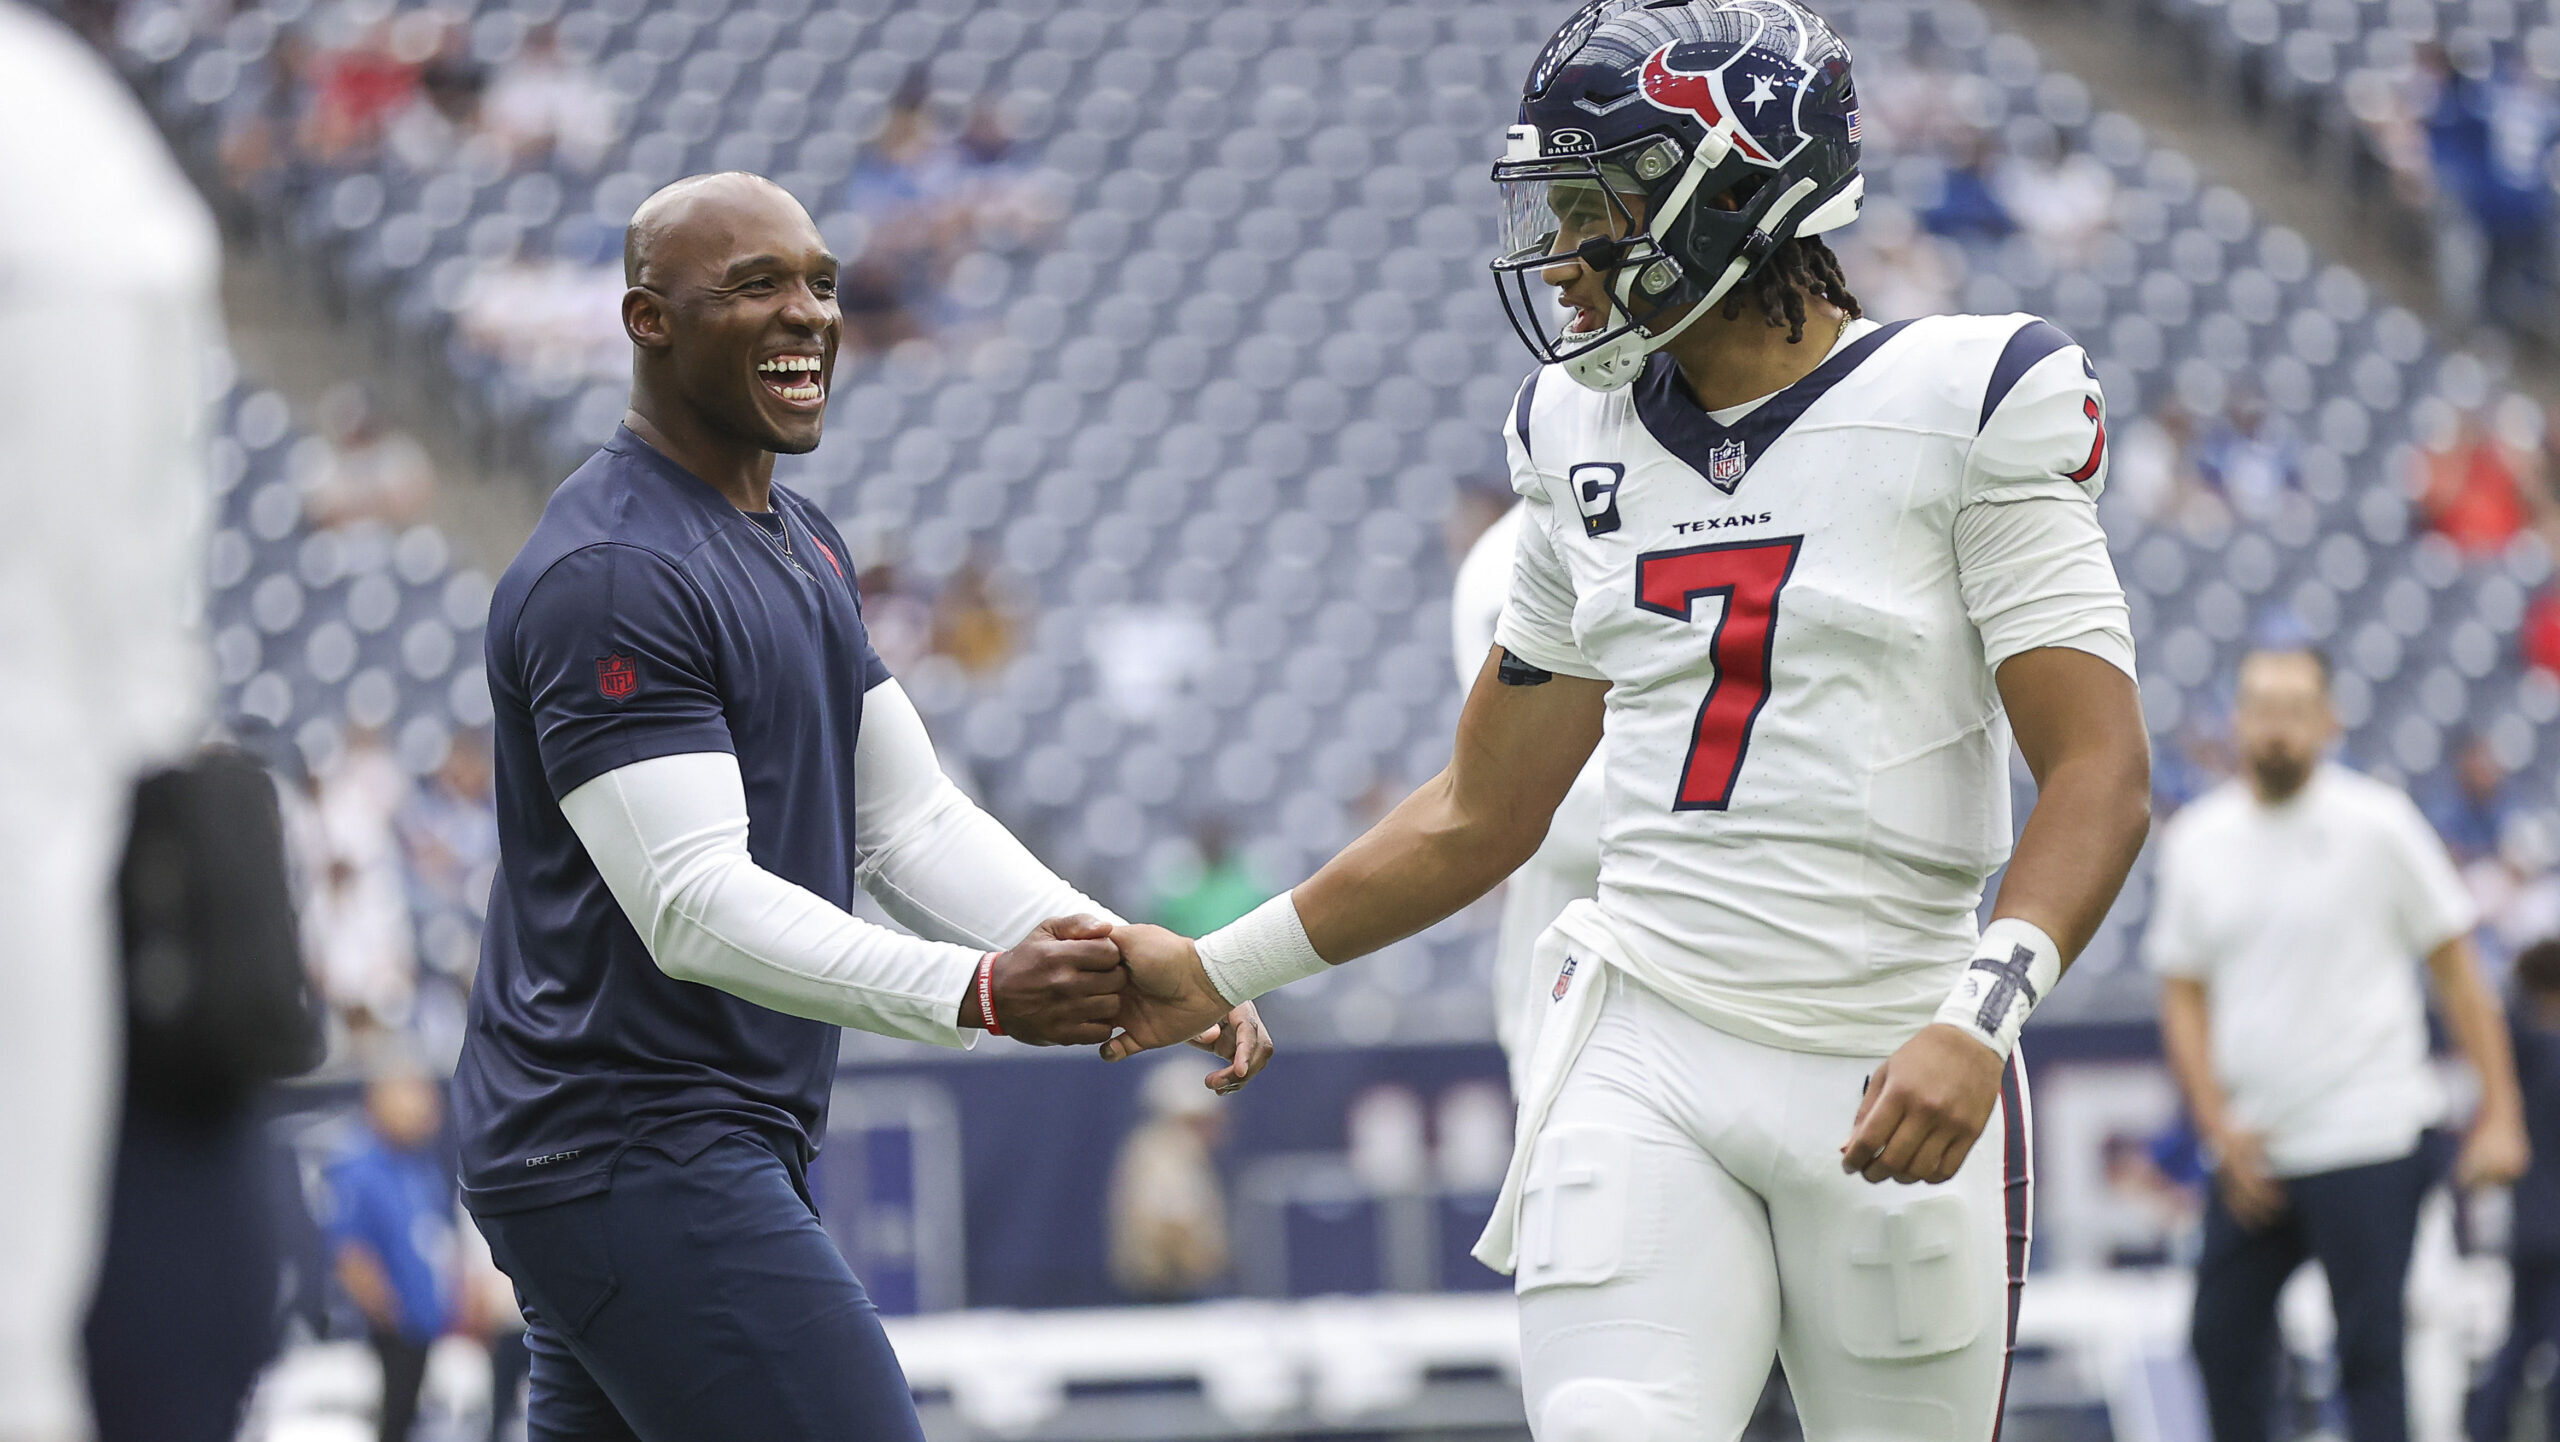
(104, 252)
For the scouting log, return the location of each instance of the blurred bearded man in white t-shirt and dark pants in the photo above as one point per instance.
(2292, 911)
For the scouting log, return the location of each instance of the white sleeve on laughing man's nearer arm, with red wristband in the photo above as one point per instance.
(669, 839)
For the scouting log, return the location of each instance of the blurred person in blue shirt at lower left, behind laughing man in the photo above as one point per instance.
(390, 1228)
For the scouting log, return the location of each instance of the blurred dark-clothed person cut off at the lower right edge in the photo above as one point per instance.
(2536, 1233)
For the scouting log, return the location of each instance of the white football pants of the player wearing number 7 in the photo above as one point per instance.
(1688, 1218)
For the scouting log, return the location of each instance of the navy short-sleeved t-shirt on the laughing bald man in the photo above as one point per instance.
(646, 619)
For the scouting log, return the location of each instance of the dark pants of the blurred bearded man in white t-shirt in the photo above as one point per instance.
(2362, 1226)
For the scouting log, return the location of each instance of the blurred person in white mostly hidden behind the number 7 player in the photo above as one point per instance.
(1568, 864)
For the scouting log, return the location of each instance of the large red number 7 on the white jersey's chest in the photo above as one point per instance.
(1747, 575)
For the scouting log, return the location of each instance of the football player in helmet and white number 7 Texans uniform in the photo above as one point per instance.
(1806, 578)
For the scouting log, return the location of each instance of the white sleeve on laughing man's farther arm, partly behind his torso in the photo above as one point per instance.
(931, 857)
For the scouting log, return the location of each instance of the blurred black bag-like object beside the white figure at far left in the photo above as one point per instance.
(216, 998)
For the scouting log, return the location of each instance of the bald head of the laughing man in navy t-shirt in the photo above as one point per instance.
(733, 298)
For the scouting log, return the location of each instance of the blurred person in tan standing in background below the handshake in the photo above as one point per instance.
(1169, 1210)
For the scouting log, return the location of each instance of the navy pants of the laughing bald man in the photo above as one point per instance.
(698, 1302)
